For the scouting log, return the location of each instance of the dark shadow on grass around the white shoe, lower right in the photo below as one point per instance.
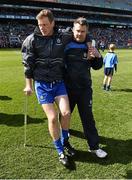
(119, 151)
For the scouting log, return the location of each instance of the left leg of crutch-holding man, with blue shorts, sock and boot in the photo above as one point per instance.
(44, 92)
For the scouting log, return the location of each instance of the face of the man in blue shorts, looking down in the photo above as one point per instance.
(45, 26)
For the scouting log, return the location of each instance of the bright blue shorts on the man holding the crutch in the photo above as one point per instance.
(47, 92)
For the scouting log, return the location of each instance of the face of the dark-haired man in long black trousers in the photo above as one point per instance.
(80, 32)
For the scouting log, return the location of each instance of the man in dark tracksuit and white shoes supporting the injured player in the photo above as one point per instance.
(78, 81)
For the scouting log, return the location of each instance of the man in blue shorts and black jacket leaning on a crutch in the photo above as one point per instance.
(43, 59)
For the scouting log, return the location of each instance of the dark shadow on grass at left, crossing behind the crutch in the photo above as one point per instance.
(18, 119)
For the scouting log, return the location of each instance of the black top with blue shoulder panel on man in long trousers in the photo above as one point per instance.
(77, 75)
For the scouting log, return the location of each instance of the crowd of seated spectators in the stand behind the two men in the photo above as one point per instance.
(13, 34)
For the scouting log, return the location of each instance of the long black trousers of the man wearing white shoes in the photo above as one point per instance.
(83, 99)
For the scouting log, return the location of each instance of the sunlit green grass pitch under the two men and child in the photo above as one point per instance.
(38, 160)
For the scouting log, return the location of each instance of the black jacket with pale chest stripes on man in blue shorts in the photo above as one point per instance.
(43, 57)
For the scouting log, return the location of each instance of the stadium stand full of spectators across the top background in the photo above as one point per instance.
(109, 20)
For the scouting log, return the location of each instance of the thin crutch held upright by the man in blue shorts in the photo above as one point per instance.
(25, 119)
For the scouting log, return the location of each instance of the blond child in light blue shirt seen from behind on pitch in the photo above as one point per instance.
(110, 63)
